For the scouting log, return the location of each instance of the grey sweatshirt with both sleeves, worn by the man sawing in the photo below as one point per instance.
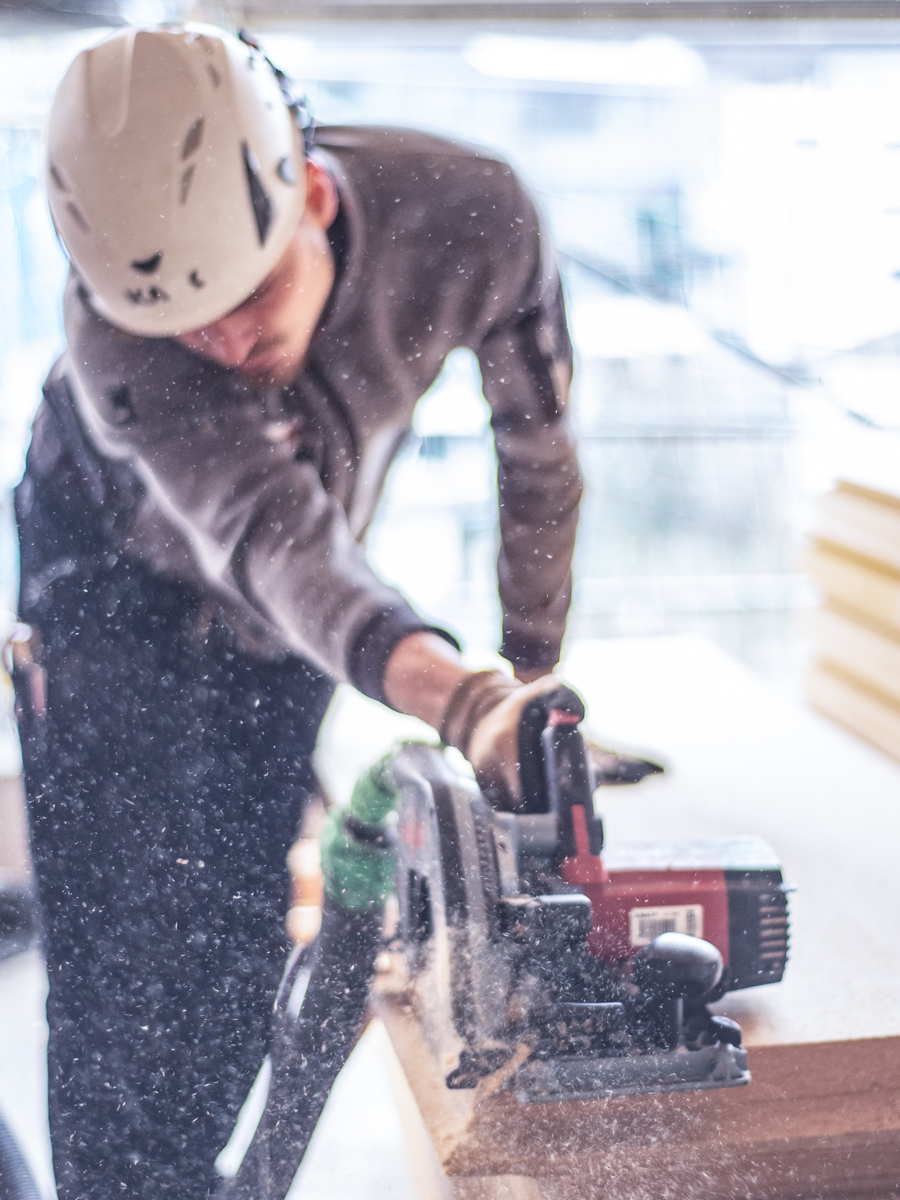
(262, 497)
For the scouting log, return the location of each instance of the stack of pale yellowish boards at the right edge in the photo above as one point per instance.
(856, 561)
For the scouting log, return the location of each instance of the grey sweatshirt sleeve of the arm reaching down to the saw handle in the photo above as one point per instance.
(261, 525)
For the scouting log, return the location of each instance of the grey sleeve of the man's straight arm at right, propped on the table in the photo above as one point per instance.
(526, 365)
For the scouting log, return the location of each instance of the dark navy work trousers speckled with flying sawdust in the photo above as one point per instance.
(165, 787)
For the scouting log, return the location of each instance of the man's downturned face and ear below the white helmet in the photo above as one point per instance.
(268, 337)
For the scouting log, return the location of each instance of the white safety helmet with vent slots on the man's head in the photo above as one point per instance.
(175, 173)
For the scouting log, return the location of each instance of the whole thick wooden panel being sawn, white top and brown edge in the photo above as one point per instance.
(823, 1114)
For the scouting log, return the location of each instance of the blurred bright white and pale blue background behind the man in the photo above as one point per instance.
(727, 207)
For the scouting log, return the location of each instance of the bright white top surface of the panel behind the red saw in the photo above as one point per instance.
(743, 760)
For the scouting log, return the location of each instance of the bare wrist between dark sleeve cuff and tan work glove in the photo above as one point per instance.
(422, 675)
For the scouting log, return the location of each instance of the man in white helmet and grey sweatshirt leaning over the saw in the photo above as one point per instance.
(249, 329)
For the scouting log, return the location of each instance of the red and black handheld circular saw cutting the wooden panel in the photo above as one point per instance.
(572, 973)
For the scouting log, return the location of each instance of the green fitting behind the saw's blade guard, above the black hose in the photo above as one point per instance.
(357, 844)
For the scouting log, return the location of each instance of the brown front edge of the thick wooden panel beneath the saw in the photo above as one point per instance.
(818, 1119)
